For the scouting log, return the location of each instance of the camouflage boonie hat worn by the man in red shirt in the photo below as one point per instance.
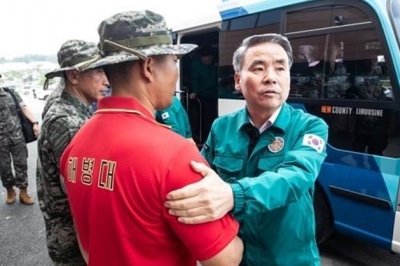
(136, 35)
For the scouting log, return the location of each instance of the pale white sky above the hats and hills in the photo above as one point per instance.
(41, 26)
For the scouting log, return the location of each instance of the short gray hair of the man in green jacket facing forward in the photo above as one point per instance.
(240, 52)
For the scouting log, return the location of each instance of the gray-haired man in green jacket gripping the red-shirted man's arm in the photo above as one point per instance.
(268, 156)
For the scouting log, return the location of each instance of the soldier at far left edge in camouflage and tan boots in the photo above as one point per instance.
(12, 144)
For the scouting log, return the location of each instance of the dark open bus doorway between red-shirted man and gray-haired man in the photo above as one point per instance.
(199, 82)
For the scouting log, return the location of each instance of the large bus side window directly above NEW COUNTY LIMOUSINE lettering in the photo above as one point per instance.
(339, 66)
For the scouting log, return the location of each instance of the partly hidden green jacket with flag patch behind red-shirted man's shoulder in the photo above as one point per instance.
(176, 117)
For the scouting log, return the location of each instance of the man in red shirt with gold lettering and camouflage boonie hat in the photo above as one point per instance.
(120, 166)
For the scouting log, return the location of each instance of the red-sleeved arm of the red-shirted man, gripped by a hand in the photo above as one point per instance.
(214, 243)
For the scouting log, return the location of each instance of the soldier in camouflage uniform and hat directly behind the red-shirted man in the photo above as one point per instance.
(65, 115)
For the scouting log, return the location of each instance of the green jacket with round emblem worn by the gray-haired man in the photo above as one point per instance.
(272, 186)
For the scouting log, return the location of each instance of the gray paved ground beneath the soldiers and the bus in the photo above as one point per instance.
(22, 237)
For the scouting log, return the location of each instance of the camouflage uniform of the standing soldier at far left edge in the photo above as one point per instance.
(12, 142)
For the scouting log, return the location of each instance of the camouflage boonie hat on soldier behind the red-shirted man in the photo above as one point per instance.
(75, 54)
